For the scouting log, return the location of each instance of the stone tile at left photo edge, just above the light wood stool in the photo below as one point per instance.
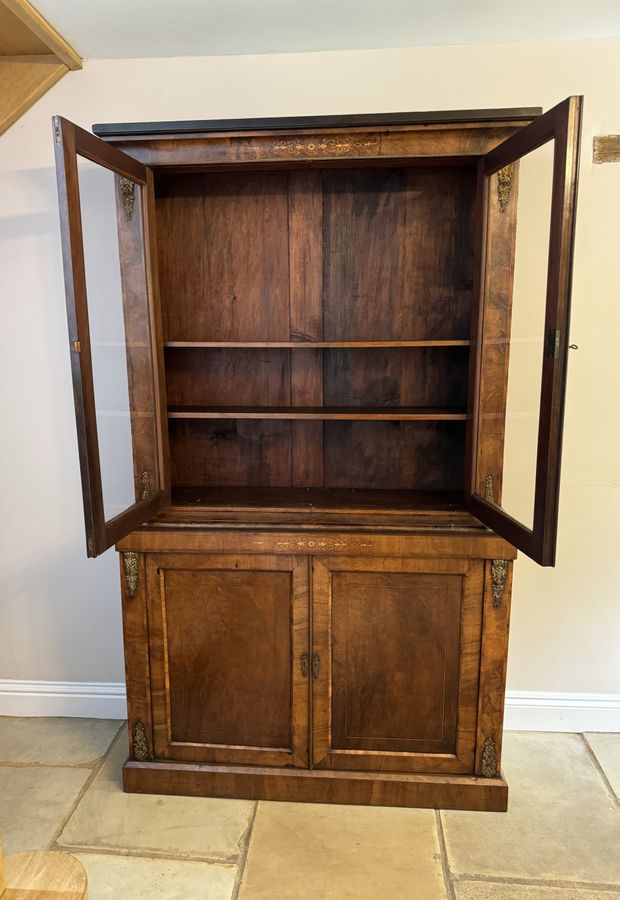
(33, 803)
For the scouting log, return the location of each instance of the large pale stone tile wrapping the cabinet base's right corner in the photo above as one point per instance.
(561, 823)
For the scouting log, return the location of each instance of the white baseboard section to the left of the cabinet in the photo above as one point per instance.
(76, 699)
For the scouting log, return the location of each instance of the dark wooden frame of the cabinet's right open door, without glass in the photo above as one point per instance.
(562, 124)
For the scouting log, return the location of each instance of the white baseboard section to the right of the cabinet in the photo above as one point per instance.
(543, 711)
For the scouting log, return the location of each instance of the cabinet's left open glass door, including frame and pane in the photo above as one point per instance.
(107, 240)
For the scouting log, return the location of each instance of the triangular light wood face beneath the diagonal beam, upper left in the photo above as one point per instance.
(23, 80)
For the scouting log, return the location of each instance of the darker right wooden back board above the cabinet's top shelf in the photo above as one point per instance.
(398, 250)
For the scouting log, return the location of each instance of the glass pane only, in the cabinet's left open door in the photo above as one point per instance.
(119, 336)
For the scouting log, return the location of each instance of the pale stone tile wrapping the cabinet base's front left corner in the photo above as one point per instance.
(199, 827)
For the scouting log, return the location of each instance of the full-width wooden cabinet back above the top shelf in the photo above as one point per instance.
(338, 255)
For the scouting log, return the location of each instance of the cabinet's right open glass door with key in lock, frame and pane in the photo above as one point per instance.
(521, 345)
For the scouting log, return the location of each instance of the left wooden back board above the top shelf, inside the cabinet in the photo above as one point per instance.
(223, 257)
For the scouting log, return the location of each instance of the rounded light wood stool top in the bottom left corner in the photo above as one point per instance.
(41, 875)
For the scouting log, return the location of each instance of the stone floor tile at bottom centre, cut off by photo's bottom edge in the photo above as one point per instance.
(300, 851)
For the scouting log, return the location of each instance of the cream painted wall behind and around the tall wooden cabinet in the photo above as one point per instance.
(59, 613)
